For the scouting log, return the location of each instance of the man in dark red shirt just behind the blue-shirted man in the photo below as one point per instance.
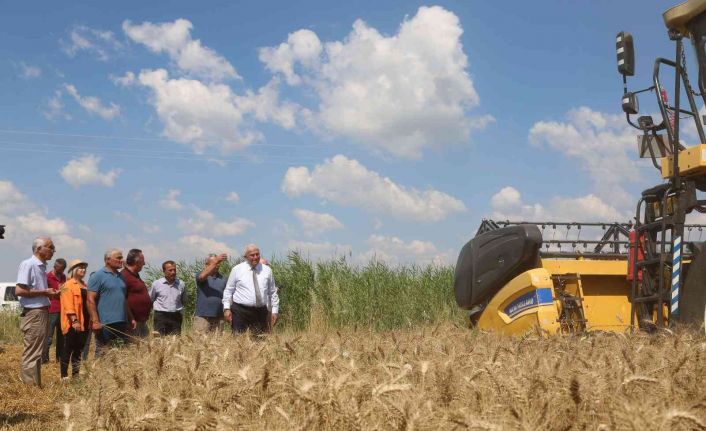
(138, 298)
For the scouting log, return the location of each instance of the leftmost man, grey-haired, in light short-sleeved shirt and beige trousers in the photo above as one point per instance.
(34, 296)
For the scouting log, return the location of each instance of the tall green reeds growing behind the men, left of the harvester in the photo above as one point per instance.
(336, 293)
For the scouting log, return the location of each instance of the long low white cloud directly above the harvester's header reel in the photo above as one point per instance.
(507, 204)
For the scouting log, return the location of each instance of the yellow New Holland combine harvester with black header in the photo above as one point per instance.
(645, 274)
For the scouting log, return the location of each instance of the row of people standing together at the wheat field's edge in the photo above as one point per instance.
(119, 304)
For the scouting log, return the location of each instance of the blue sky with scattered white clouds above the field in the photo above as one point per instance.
(368, 129)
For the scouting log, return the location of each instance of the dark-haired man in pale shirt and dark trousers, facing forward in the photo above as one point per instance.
(168, 296)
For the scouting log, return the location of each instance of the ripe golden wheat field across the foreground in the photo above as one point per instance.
(437, 377)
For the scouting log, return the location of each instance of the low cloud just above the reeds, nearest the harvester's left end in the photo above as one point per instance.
(393, 250)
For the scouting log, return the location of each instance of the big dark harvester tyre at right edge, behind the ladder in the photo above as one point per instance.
(692, 303)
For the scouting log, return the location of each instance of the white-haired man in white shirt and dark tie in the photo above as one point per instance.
(250, 299)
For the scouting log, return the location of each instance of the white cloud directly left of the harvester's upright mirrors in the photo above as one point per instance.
(603, 143)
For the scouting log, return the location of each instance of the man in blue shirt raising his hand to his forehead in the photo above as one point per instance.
(209, 295)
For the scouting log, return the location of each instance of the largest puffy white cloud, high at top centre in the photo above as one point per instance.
(399, 94)
